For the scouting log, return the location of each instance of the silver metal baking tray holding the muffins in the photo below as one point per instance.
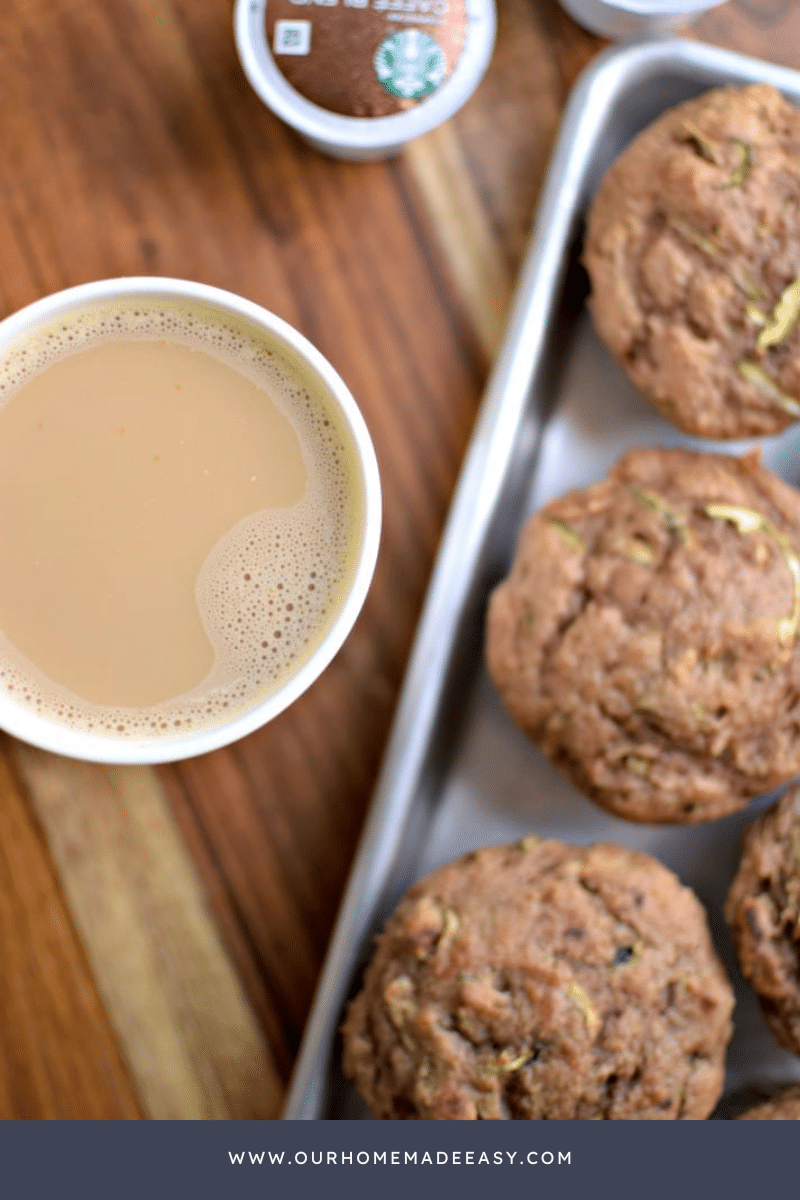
(557, 415)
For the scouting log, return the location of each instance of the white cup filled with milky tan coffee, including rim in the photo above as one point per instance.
(189, 519)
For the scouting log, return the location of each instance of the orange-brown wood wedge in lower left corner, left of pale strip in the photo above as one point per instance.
(59, 1057)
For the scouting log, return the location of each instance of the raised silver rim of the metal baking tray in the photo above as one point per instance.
(473, 508)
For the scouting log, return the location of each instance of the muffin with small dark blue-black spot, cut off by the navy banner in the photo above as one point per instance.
(546, 982)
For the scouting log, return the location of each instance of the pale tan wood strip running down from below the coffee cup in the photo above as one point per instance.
(189, 1034)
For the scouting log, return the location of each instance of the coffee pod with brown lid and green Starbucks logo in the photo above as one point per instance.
(362, 79)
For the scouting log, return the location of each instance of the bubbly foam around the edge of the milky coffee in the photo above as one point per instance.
(272, 587)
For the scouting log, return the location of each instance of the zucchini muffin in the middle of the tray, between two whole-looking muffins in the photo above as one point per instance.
(646, 638)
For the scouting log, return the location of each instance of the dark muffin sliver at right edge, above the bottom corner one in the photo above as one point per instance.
(763, 910)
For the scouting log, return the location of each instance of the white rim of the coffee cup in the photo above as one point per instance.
(85, 746)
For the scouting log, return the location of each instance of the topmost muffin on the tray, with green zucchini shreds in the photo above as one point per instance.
(694, 249)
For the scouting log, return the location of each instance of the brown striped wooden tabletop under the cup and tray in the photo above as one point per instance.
(163, 929)
